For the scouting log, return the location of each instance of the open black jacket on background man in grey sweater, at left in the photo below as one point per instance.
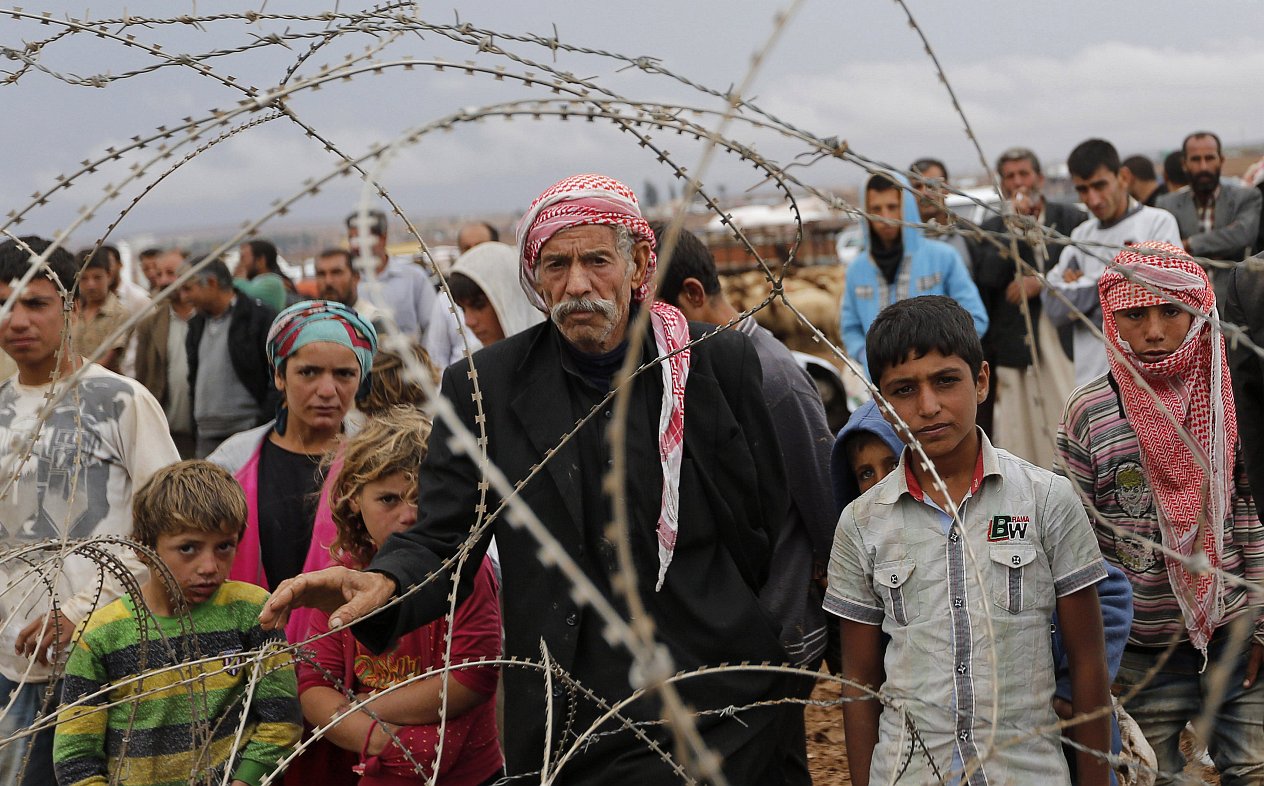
(248, 352)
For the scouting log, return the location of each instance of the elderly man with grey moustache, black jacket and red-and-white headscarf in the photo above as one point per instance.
(705, 499)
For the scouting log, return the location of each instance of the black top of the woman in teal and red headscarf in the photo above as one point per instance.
(289, 492)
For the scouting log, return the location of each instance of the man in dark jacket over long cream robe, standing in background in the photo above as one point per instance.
(1019, 424)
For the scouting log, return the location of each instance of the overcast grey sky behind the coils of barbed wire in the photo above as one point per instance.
(1046, 76)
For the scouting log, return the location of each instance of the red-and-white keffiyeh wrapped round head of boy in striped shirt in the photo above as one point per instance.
(1193, 478)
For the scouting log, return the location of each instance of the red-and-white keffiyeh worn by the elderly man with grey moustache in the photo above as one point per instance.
(596, 199)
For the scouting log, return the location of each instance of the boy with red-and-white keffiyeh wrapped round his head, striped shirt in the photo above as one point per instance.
(1153, 447)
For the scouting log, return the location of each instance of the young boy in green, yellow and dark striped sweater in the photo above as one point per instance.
(181, 684)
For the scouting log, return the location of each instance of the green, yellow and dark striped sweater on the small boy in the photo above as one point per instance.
(180, 723)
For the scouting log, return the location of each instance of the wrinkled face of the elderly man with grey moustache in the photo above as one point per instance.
(587, 285)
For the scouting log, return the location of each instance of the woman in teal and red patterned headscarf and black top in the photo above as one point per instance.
(322, 353)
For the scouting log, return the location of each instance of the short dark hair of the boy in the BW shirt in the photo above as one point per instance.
(918, 325)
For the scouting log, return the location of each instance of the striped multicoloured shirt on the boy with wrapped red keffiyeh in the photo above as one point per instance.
(1104, 458)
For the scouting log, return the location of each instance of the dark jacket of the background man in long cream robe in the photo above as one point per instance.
(1006, 343)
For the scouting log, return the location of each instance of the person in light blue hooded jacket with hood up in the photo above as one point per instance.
(898, 263)
